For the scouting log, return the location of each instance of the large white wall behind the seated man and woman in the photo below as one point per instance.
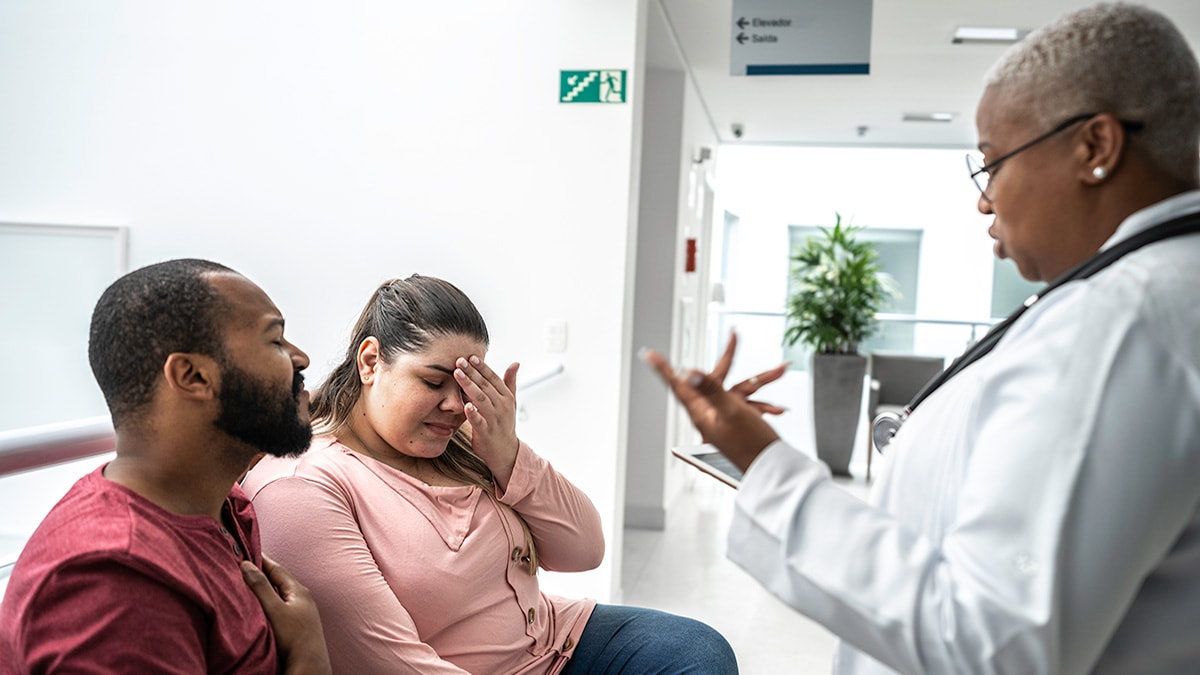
(321, 148)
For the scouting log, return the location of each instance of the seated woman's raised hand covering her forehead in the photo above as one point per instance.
(491, 410)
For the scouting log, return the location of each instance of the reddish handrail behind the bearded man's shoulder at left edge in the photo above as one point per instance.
(35, 447)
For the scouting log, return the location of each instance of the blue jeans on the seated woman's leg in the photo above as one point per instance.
(646, 642)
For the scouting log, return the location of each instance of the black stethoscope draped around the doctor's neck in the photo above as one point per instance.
(886, 425)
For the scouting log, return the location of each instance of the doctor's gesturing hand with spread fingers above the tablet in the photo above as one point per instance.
(727, 419)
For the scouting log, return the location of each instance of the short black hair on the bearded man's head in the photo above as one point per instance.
(143, 318)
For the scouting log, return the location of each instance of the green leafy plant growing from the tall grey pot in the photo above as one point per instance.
(838, 288)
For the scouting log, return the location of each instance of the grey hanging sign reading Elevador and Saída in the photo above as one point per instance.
(801, 38)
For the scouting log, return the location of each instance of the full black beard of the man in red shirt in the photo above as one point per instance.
(261, 416)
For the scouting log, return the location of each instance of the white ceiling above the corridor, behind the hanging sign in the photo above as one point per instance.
(915, 69)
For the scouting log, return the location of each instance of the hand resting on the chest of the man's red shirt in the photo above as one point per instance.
(293, 617)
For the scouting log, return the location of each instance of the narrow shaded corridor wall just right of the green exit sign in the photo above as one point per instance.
(675, 128)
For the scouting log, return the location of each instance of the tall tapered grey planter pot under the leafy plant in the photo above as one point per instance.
(837, 407)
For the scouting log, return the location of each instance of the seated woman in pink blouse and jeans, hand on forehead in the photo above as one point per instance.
(419, 521)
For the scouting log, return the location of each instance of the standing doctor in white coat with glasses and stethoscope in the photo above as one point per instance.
(1039, 511)
